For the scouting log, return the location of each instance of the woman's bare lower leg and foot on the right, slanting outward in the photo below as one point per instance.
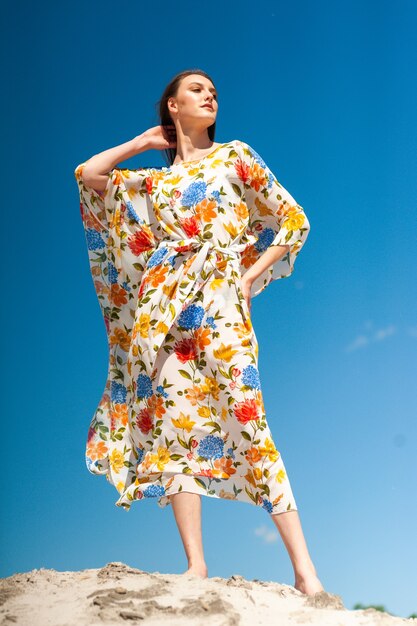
(289, 527)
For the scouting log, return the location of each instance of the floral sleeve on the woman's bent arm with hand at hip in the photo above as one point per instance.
(275, 218)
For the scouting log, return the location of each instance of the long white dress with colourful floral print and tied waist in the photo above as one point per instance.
(182, 408)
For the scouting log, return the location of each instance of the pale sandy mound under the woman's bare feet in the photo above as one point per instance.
(119, 594)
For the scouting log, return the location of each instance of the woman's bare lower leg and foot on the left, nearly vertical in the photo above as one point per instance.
(187, 512)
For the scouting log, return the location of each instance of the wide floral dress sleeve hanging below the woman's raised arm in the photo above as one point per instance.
(120, 237)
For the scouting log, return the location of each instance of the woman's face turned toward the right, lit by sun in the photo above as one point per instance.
(196, 101)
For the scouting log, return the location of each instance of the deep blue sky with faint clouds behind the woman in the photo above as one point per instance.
(326, 94)
